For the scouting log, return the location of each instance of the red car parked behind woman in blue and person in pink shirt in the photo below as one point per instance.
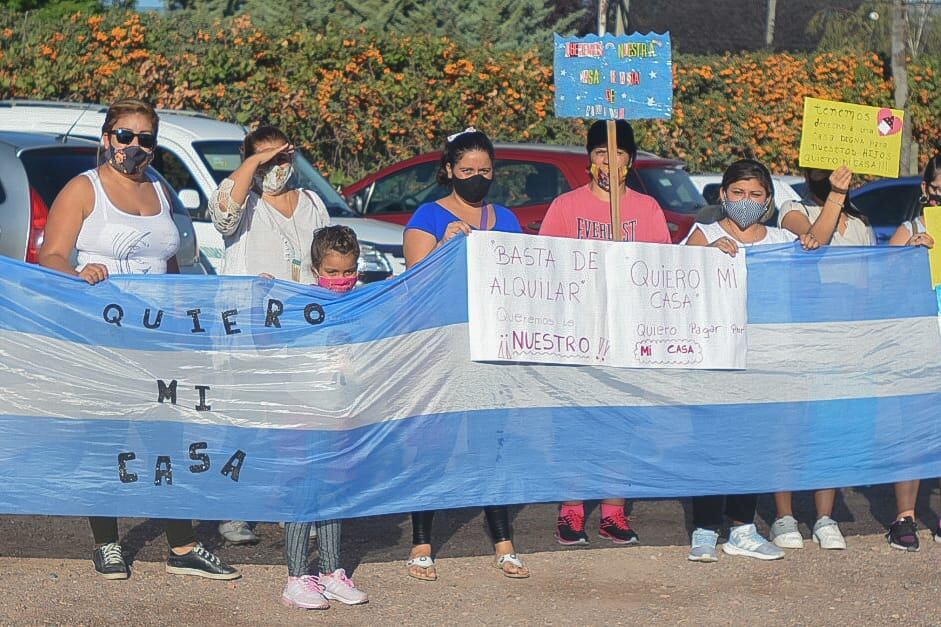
(528, 178)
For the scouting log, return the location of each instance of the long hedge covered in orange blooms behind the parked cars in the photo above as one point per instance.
(356, 101)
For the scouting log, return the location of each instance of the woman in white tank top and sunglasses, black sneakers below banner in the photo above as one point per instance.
(118, 218)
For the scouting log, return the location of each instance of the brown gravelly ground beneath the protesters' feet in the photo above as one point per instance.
(46, 577)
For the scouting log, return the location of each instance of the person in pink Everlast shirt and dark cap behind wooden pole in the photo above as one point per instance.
(585, 213)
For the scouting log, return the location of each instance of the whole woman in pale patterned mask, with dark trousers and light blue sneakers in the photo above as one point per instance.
(747, 196)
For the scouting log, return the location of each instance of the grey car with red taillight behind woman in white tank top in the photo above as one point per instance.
(34, 167)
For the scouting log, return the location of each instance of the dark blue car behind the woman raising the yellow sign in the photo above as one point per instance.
(887, 203)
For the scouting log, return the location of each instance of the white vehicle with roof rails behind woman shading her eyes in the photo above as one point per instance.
(194, 154)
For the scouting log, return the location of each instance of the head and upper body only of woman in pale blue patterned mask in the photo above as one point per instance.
(747, 199)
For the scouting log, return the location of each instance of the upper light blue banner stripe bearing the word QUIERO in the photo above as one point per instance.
(785, 284)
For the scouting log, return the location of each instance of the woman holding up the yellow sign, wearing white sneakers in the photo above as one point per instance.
(832, 220)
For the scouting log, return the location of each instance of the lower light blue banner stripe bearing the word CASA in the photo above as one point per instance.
(467, 459)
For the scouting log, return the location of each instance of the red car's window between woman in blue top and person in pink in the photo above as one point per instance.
(520, 183)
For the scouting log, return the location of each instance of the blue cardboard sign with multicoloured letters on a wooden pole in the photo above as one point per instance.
(626, 77)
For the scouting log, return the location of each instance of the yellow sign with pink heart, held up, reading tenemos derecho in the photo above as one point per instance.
(868, 140)
